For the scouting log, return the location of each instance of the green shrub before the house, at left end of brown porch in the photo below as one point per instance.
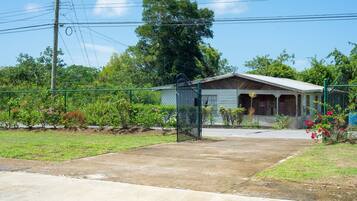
(232, 116)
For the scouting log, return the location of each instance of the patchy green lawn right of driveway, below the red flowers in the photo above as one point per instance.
(318, 162)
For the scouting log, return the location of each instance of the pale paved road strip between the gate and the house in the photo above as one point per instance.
(255, 133)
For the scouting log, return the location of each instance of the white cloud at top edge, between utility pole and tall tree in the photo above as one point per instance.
(111, 7)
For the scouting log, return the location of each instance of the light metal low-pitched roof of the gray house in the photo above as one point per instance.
(285, 83)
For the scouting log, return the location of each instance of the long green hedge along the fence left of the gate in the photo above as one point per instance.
(113, 111)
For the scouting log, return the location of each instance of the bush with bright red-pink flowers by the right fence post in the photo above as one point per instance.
(330, 128)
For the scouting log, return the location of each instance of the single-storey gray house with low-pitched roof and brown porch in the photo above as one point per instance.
(274, 96)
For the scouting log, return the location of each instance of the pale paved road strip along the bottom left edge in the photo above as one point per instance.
(17, 186)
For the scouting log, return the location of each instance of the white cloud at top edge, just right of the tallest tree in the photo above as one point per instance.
(223, 7)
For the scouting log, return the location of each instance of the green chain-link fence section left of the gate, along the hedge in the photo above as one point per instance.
(119, 108)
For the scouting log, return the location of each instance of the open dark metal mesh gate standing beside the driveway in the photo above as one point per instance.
(189, 110)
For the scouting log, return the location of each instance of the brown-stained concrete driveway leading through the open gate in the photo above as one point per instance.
(222, 166)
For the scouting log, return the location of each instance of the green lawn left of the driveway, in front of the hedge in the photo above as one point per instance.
(61, 146)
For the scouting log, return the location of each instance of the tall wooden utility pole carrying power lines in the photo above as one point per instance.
(55, 46)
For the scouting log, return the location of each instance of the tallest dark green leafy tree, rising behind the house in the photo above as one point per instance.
(171, 36)
